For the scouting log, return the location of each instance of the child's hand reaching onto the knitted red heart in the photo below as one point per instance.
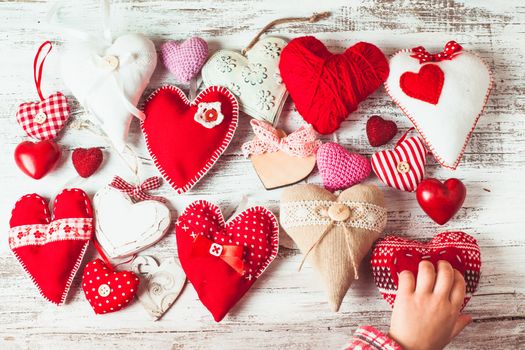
(427, 313)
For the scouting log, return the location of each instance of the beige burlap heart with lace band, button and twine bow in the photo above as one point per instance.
(334, 232)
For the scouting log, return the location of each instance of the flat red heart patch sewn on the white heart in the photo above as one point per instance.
(425, 85)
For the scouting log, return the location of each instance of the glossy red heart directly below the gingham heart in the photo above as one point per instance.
(36, 159)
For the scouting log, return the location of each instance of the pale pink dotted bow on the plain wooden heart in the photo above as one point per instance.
(301, 143)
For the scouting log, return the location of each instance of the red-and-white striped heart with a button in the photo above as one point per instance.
(404, 166)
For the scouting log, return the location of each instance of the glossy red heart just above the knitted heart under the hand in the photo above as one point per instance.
(441, 201)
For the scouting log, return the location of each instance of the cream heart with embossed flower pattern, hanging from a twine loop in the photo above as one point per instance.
(254, 79)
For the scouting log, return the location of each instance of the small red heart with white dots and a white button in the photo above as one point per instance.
(108, 290)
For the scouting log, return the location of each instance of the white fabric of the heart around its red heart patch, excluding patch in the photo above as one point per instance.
(446, 126)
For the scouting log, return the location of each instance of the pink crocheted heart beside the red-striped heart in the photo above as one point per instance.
(339, 168)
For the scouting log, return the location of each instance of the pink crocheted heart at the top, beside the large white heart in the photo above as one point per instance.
(185, 60)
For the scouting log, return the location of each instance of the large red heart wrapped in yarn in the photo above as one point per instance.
(327, 87)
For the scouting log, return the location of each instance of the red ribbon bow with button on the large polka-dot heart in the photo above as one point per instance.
(230, 254)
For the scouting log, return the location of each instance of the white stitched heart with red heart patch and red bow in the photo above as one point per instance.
(444, 117)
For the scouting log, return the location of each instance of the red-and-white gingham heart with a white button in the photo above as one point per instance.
(43, 120)
